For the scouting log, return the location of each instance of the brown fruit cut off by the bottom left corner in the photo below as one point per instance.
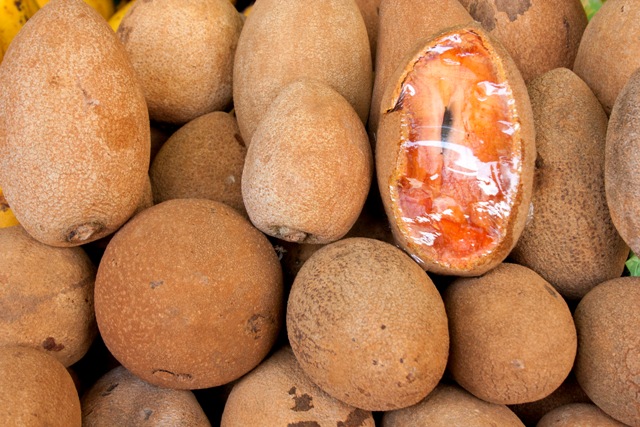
(36, 390)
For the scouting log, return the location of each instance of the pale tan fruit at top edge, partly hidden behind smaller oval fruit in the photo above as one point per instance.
(284, 41)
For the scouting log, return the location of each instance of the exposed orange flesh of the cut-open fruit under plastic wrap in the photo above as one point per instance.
(458, 169)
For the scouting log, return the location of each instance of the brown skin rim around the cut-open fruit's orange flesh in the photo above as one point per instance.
(388, 148)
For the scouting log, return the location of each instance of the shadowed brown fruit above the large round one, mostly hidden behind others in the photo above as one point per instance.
(202, 160)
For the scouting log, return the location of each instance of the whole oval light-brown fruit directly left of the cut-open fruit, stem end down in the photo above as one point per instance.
(308, 170)
